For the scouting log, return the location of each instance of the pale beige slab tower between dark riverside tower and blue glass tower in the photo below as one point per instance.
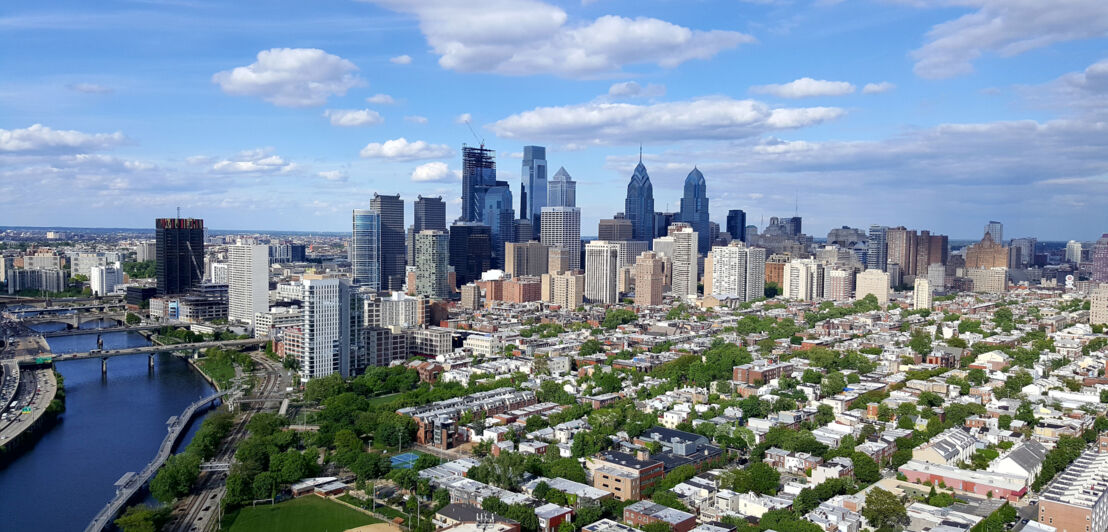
(249, 282)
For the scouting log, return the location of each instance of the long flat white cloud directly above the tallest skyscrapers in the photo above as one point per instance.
(614, 124)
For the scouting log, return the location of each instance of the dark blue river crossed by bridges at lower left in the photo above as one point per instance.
(112, 425)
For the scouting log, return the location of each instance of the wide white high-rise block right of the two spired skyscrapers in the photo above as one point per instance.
(737, 272)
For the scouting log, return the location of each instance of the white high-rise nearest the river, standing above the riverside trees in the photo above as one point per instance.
(322, 333)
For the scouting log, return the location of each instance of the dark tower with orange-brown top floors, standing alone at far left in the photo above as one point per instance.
(180, 254)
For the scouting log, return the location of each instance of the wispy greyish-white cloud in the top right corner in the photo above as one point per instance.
(1007, 28)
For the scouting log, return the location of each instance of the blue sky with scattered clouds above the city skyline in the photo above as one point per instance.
(937, 115)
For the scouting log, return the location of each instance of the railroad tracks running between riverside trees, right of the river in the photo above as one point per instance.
(199, 508)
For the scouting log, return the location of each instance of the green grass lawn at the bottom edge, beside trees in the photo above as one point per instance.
(307, 513)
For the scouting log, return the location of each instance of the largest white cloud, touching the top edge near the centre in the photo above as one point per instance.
(531, 37)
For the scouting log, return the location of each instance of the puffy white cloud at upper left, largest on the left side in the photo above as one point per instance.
(292, 77)
